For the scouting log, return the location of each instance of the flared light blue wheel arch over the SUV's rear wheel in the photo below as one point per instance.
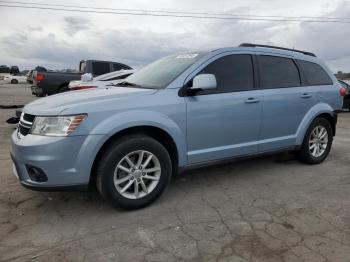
(316, 110)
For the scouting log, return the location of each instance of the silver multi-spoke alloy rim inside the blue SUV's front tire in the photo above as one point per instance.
(137, 174)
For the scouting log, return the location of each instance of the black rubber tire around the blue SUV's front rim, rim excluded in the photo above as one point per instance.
(115, 153)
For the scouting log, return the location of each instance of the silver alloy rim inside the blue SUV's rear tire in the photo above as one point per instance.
(318, 141)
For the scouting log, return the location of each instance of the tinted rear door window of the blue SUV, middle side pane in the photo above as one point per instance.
(278, 72)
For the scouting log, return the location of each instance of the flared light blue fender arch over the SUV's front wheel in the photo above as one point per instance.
(120, 121)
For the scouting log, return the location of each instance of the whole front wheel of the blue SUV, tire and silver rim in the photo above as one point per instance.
(134, 171)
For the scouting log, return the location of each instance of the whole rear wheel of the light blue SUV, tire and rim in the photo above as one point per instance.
(317, 142)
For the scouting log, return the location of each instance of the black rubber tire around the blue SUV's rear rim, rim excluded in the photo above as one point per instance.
(304, 154)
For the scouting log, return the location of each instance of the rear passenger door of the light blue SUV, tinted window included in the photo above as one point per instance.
(286, 101)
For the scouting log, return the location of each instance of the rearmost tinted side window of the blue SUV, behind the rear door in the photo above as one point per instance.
(314, 74)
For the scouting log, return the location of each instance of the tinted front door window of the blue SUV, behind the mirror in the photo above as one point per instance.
(232, 72)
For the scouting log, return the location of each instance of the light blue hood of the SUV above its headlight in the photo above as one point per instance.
(54, 105)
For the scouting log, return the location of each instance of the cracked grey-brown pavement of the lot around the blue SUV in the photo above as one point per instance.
(266, 209)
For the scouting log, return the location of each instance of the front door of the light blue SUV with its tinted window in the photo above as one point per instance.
(225, 122)
